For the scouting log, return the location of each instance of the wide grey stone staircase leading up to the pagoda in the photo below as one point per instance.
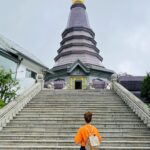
(51, 119)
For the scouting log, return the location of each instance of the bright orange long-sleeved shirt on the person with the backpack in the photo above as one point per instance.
(83, 134)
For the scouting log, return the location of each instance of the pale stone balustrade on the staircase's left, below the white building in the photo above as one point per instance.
(9, 111)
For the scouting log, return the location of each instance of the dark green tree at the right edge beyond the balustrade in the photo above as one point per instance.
(145, 90)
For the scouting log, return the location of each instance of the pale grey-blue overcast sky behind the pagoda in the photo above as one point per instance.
(122, 29)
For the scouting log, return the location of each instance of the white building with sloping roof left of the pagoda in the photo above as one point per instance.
(22, 63)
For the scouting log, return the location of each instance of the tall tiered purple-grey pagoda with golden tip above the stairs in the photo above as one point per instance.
(78, 64)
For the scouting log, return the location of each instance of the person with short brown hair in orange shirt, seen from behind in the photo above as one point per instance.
(83, 132)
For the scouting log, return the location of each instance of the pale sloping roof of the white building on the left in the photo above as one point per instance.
(11, 47)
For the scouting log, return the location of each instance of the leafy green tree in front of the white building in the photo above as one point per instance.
(8, 86)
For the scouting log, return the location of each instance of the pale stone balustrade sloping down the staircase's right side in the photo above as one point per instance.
(133, 102)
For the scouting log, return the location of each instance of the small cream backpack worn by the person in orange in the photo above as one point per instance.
(92, 141)
